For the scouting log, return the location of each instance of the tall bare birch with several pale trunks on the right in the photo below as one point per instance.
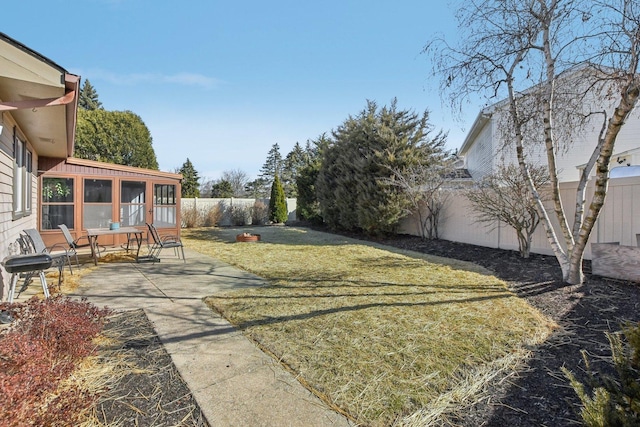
(526, 51)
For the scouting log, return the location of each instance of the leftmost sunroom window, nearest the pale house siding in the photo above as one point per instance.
(57, 203)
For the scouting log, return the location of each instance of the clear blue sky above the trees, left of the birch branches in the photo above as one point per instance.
(220, 82)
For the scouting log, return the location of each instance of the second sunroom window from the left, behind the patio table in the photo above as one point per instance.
(98, 205)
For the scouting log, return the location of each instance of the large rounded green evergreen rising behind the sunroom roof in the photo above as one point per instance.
(118, 137)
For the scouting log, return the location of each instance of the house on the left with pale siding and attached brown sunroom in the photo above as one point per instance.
(42, 184)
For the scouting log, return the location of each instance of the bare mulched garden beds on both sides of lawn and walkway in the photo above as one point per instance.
(538, 395)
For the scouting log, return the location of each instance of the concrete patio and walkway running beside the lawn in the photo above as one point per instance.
(234, 382)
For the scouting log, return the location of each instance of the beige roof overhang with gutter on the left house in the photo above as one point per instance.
(41, 96)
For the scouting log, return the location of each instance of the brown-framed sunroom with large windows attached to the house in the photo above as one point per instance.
(85, 194)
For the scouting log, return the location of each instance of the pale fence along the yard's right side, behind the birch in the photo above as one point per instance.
(619, 220)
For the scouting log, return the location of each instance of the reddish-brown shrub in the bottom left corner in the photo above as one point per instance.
(41, 349)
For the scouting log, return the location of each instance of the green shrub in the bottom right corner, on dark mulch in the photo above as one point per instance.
(612, 399)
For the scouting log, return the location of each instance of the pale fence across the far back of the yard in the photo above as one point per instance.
(230, 207)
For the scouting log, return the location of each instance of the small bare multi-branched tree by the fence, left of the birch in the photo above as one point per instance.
(504, 197)
